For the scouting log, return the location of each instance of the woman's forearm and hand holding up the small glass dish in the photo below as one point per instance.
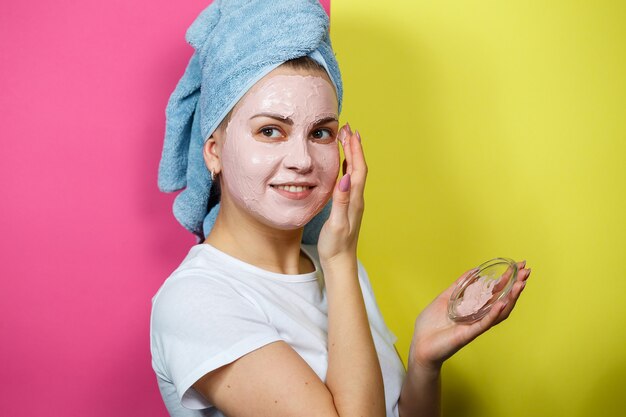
(436, 338)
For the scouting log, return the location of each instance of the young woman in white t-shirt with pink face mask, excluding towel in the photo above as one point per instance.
(256, 323)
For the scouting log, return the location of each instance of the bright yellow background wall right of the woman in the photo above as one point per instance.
(498, 128)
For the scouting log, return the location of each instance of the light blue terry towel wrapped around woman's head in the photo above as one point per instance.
(236, 42)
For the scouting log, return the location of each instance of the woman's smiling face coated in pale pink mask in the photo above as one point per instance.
(279, 157)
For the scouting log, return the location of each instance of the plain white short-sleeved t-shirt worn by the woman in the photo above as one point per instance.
(215, 308)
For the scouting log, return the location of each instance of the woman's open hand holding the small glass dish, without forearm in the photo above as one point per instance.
(437, 337)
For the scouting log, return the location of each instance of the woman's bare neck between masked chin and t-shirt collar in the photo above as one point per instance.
(247, 239)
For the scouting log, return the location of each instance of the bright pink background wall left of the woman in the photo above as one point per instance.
(86, 237)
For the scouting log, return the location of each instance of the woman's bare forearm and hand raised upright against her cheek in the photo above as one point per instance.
(354, 376)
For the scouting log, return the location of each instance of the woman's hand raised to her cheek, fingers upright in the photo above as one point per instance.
(339, 235)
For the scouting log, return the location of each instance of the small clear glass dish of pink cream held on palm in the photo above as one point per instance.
(474, 297)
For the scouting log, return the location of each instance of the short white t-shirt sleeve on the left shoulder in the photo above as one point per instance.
(201, 323)
